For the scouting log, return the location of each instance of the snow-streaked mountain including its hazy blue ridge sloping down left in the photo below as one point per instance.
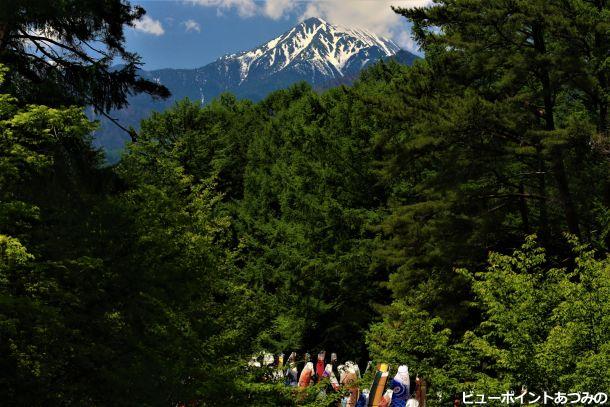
(314, 51)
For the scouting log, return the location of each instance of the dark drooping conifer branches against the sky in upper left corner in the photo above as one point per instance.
(62, 52)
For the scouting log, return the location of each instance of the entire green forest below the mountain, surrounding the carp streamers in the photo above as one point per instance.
(452, 215)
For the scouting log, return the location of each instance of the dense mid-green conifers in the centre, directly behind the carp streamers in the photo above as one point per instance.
(297, 184)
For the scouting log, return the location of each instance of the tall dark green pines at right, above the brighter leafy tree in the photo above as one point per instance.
(493, 138)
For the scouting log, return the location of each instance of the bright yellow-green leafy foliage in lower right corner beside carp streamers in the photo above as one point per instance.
(542, 329)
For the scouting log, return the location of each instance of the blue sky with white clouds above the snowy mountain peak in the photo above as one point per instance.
(193, 33)
